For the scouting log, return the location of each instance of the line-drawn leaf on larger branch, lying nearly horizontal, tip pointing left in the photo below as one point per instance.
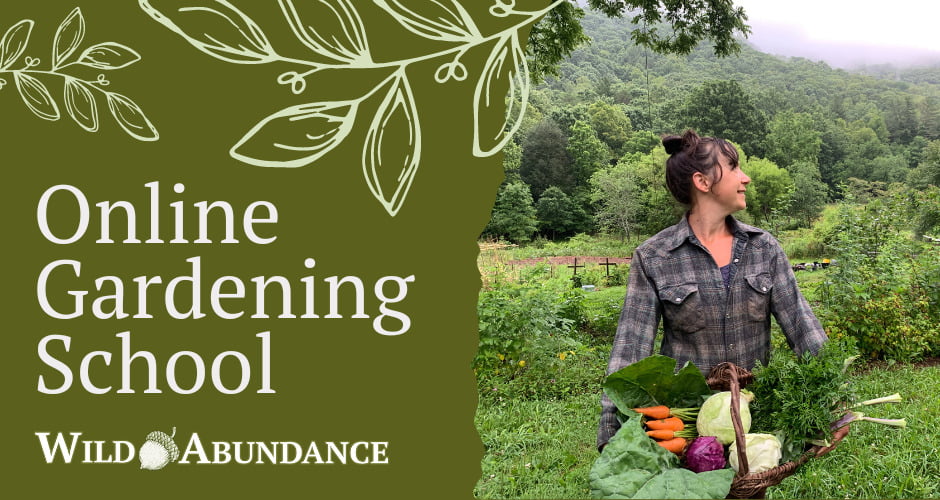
(296, 136)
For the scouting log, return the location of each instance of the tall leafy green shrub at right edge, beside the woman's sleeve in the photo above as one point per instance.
(883, 291)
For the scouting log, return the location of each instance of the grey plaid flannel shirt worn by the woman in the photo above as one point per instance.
(674, 278)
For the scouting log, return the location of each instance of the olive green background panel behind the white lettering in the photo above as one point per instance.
(336, 379)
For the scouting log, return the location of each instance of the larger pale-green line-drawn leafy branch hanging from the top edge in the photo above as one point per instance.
(333, 31)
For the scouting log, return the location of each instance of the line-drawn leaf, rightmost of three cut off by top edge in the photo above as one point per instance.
(445, 20)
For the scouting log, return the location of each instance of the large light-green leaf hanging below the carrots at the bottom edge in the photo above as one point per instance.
(633, 466)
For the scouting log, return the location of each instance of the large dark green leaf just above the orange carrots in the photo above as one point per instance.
(654, 381)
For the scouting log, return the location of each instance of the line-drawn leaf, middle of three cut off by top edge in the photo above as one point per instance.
(333, 28)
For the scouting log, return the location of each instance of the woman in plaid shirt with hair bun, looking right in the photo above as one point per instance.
(712, 280)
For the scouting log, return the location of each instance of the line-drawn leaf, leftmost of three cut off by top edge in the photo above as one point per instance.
(215, 27)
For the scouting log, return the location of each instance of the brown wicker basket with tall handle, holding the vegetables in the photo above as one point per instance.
(730, 377)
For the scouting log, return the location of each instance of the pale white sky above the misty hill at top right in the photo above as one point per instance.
(823, 28)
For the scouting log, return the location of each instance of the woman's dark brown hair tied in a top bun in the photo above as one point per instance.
(689, 154)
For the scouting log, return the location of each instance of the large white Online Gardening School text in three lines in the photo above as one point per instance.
(63, 292)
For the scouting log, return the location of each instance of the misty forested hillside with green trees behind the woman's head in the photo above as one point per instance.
(587, 157)
